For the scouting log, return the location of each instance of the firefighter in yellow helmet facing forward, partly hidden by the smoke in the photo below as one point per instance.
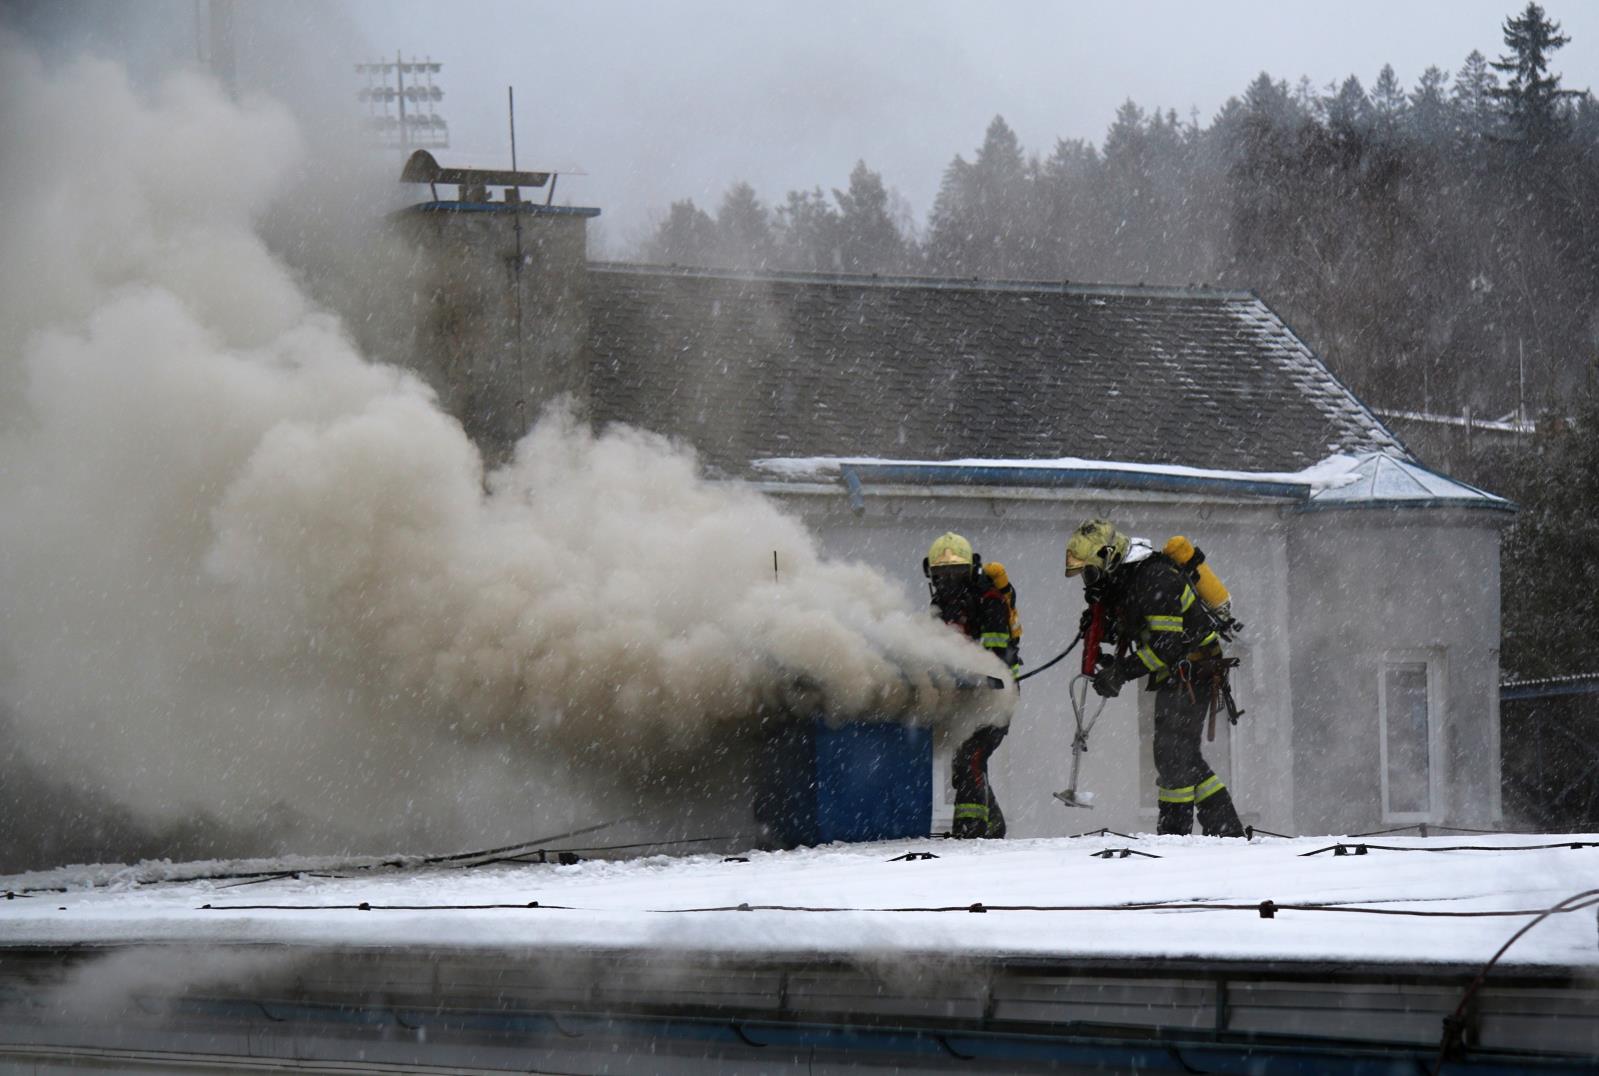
(978, 604)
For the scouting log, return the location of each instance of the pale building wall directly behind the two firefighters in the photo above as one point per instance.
(1248, 546)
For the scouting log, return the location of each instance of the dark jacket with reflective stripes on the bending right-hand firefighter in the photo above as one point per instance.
(1157, 615)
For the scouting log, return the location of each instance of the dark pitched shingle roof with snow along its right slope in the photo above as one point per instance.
(760, 365)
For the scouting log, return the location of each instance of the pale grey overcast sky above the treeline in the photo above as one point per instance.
(676, 100)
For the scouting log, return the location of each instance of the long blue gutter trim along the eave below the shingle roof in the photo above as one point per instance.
(1067, 479)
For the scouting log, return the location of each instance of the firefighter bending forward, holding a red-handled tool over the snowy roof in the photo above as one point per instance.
(1162, 631)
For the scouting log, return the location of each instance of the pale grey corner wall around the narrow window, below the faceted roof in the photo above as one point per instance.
(1379, 586)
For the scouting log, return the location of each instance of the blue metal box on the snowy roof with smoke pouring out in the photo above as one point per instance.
(861, 781)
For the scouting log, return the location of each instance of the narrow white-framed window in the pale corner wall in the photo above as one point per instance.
(1410, 715)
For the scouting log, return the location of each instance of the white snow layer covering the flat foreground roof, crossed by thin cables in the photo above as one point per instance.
(682, 903)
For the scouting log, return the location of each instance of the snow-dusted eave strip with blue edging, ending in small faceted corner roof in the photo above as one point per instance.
(1339, 482)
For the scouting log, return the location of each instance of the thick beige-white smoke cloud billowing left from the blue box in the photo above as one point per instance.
(249, 575)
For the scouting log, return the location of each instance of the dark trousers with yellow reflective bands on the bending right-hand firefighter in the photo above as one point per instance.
(1186, 781)
